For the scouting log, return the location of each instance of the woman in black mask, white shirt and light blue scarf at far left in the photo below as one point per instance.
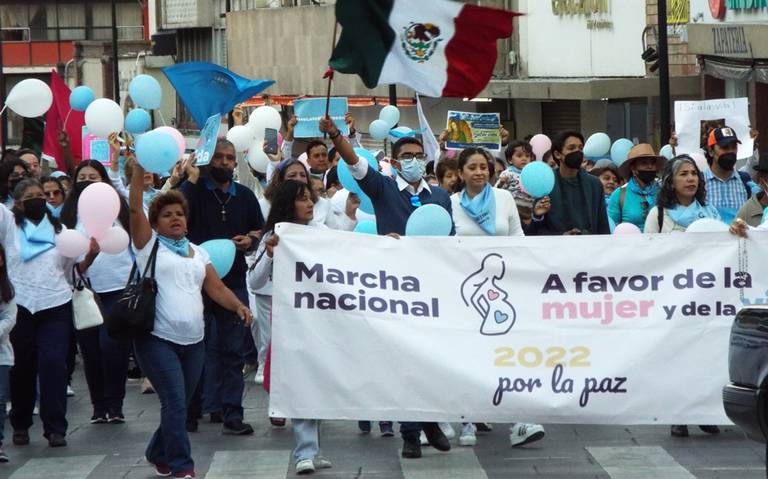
(40, 276)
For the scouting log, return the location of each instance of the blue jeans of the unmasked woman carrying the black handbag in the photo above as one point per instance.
(174, 371)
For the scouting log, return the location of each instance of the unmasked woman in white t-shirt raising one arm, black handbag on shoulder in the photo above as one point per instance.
(172, 355)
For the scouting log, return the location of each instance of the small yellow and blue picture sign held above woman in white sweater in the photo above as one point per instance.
(467, 130)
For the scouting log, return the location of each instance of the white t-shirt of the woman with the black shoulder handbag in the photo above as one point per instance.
(179, 302)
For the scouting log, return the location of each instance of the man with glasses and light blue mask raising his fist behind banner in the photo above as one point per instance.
(393, 202)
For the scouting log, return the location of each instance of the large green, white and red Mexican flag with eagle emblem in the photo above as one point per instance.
(436, 47)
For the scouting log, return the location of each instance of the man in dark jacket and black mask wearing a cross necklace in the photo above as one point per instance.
(220, 208)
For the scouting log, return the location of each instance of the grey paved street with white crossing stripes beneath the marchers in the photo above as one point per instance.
(116, 451)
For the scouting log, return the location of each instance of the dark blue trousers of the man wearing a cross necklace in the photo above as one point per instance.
(223, 385)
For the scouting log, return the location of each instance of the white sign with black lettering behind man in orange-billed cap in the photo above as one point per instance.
(694, 118)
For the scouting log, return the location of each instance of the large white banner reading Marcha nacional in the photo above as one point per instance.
(592, 329)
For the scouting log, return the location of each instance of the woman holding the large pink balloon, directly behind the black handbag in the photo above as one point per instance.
(105, 359)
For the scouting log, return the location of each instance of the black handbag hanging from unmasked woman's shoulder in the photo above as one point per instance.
(133, 316)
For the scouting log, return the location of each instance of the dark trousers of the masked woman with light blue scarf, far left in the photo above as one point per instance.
(40, 343)
